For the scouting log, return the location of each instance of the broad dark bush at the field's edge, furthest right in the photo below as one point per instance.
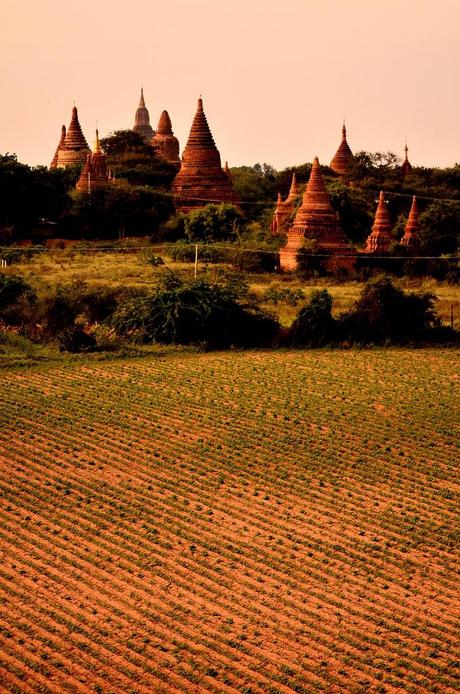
(384, 313)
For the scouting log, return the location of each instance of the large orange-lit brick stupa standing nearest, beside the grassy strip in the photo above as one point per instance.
(316, 220)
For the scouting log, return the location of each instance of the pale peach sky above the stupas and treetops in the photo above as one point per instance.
(277, 76)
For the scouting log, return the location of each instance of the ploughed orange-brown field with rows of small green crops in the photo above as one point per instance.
(230, 522)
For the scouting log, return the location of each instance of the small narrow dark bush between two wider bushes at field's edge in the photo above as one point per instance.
(314, 325)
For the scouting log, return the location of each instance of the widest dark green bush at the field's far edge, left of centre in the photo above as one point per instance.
(194, 312)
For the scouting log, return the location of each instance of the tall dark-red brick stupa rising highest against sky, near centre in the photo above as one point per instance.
(201, 179)
